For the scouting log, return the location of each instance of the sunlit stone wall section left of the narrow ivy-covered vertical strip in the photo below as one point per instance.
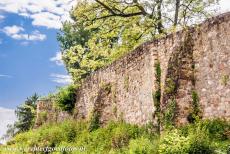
(129, 83)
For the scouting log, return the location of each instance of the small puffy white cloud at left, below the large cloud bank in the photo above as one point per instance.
(16, 32)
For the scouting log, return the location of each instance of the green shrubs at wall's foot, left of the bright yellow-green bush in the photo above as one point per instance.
(113, 137)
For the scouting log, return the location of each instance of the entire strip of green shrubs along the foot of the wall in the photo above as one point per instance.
(200, 137)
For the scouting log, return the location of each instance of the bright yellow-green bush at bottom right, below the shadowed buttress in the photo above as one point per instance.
(196, 140)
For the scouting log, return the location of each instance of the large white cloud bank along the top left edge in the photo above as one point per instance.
(48, 13)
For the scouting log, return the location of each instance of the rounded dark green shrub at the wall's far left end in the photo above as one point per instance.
(66, 98)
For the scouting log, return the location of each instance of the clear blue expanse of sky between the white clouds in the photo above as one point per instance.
(25, 66)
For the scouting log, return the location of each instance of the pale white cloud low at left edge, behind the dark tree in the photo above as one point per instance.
(7, 116)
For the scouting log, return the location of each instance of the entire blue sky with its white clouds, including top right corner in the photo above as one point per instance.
(30, 59)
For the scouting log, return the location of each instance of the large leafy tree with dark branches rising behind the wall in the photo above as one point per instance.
(104, 30)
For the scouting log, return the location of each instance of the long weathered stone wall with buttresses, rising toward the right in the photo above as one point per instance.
(192, 61)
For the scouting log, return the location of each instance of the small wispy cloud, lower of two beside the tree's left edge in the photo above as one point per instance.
(61, 78)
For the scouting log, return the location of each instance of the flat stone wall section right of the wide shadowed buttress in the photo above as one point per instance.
(212, 65)
